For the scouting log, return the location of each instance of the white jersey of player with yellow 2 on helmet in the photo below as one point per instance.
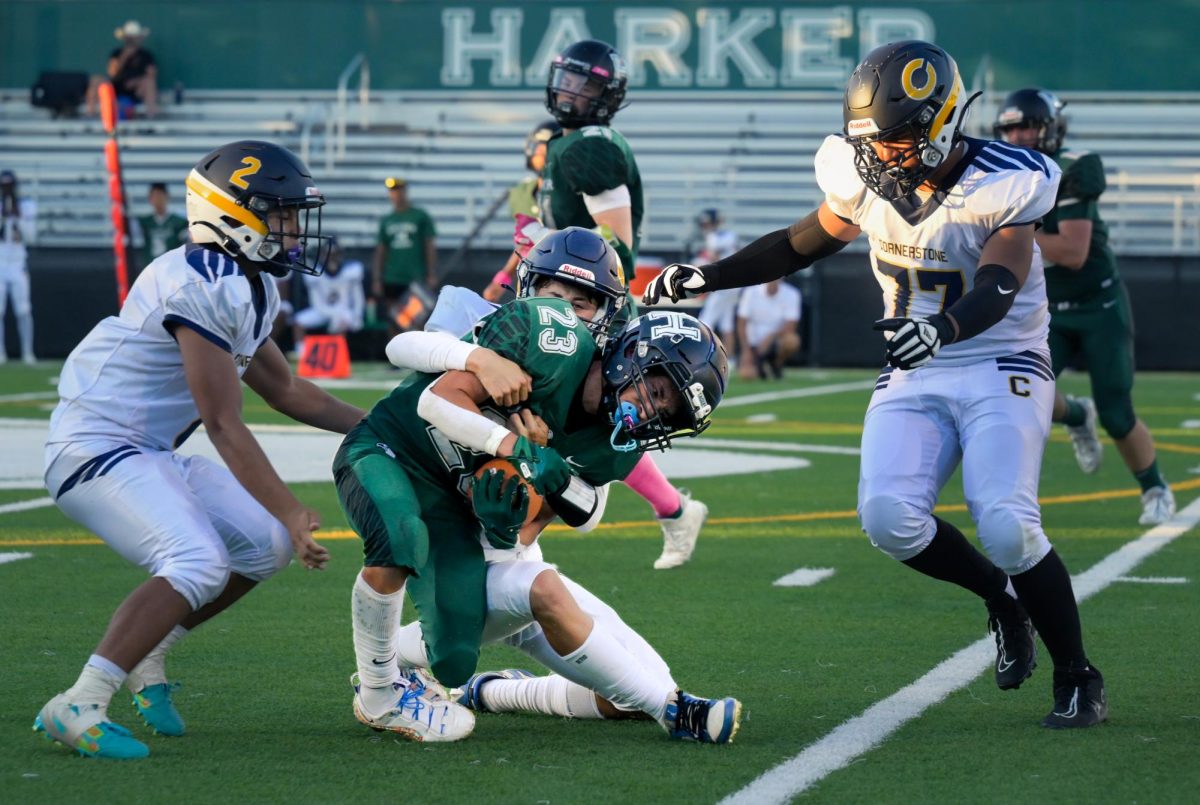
(125, 381)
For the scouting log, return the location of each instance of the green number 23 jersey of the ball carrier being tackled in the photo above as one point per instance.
(544, 338)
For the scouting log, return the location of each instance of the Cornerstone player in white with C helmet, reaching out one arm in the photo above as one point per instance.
(951, 225)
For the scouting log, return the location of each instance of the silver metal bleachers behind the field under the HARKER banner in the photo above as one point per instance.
(749, 154)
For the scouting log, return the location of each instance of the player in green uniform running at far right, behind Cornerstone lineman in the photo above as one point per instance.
(1090, 311)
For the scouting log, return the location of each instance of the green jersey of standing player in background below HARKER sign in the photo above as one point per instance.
(589, 163)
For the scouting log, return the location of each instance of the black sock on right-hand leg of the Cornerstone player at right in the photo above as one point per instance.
(1047, 594)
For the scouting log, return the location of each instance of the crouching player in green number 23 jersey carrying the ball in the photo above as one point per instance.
(404, 474)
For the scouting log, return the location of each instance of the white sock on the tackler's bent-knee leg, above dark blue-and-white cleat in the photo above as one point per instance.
(609, 669)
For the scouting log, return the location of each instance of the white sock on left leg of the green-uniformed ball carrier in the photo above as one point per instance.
(376, 618)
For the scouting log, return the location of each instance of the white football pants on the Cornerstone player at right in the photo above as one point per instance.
(994, 418)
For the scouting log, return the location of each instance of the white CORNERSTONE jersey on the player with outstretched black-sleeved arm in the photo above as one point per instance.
(925, 259)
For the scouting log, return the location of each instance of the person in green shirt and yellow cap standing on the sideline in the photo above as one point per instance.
(406, 250)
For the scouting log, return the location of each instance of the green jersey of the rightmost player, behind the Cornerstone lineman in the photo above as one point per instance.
(1079, 193)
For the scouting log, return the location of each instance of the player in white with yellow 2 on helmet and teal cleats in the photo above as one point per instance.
(196, 322)
